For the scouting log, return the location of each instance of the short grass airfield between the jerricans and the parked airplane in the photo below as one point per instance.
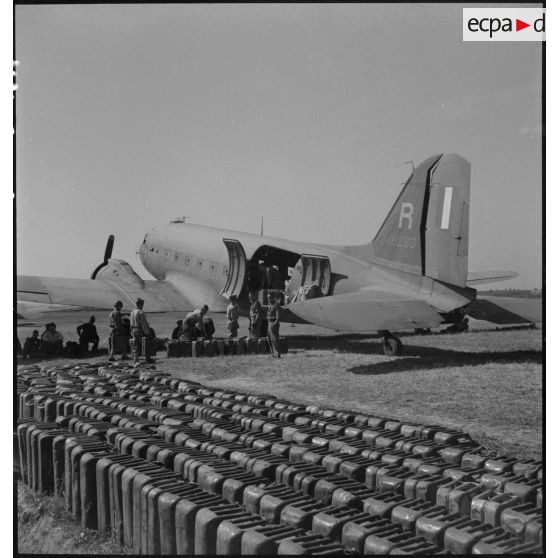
(485, 382)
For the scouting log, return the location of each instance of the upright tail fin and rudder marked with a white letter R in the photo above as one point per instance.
(427, 230)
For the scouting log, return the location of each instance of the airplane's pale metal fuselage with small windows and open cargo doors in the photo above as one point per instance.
(196, 260)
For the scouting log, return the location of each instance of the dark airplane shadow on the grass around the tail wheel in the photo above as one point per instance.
(415, 358)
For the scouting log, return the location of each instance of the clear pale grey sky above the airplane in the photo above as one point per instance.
(128, 116)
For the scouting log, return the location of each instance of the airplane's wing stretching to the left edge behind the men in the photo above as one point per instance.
(159, 296)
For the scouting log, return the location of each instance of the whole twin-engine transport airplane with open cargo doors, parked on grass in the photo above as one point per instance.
(412, 275)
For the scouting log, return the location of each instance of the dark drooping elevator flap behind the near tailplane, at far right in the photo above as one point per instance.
(504, 310)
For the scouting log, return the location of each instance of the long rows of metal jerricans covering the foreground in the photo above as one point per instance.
(169, 466)
